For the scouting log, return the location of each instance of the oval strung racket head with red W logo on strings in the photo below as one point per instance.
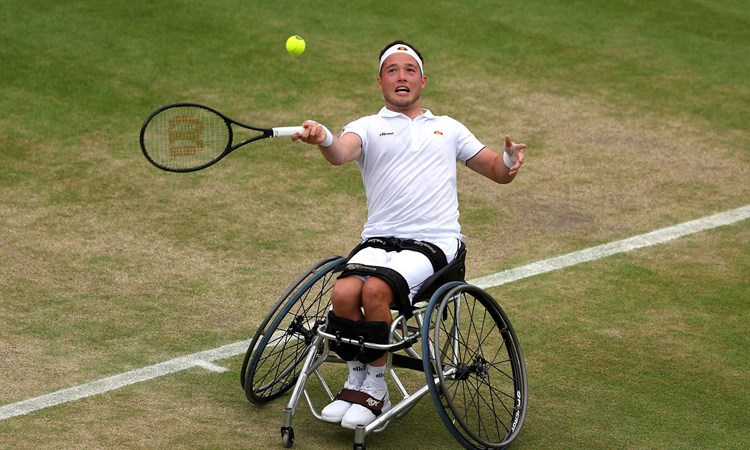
(186, 137)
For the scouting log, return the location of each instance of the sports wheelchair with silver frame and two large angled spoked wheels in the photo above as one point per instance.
(469, 353)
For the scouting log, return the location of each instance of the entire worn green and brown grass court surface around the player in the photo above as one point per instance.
(635, 114)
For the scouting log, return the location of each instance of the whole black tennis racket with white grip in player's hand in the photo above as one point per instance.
(185, 137)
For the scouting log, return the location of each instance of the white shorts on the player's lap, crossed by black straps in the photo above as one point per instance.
(413, 266)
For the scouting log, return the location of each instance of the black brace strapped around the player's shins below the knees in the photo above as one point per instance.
(376, 332)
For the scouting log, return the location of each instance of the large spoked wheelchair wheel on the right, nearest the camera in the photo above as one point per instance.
(476, 374)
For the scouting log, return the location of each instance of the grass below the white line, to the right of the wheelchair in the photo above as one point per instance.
(644, 347)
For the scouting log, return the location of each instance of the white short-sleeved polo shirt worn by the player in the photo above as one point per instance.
(409, 171)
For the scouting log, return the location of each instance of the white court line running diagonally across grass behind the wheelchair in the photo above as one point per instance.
(204, 358)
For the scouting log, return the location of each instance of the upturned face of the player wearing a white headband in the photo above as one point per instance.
(401, 82)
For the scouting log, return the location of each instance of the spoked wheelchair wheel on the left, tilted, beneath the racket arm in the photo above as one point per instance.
(271, 365)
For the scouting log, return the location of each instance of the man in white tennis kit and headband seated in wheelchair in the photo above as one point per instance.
(407, 157)
